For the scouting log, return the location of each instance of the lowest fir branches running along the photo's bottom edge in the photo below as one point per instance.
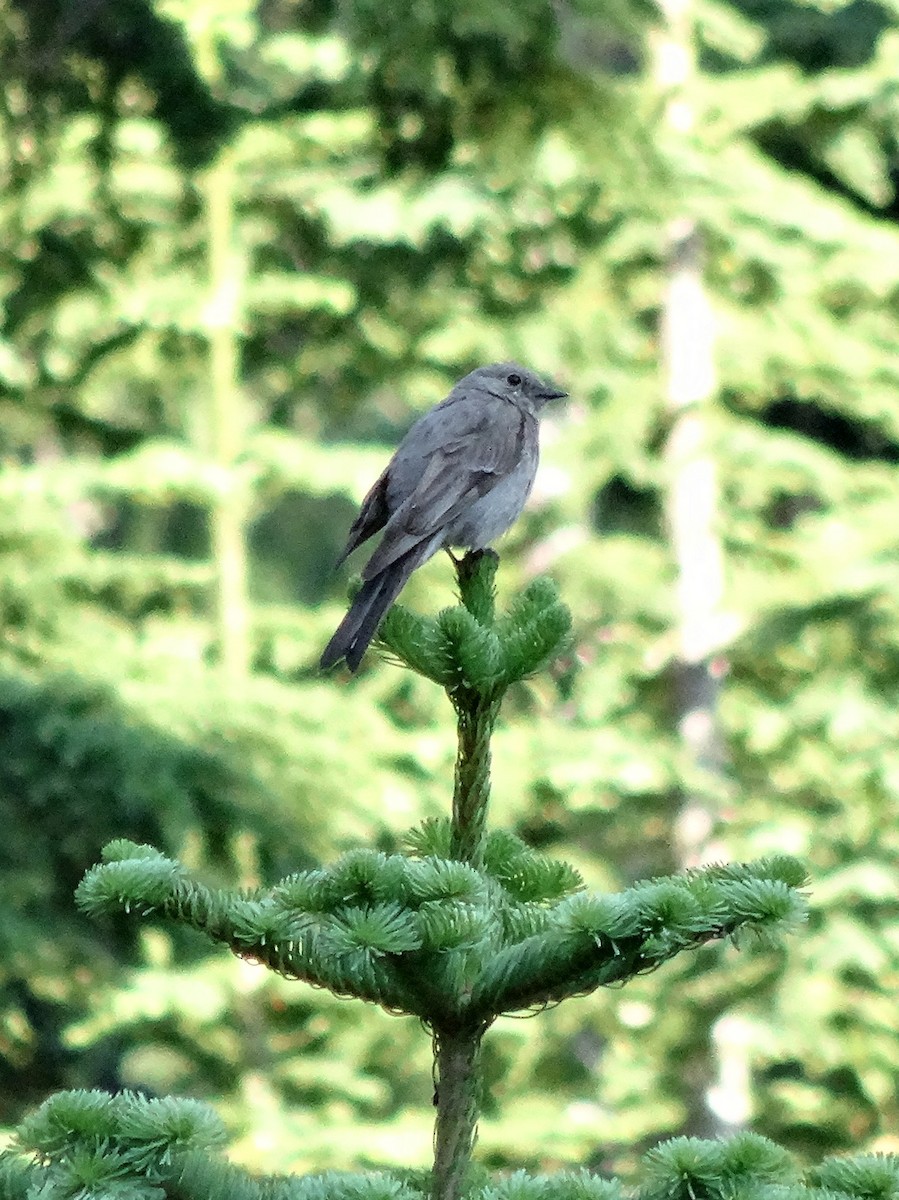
(91, 1144)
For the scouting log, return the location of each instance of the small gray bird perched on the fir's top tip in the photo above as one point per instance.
(459, 478)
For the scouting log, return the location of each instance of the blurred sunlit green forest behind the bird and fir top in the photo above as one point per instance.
(243, 245)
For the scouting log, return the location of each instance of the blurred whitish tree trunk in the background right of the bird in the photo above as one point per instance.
(720, 1071)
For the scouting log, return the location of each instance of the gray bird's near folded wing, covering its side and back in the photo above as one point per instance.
(483, 448)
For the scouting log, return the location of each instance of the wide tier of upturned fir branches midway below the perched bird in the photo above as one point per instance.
(374, 928)
